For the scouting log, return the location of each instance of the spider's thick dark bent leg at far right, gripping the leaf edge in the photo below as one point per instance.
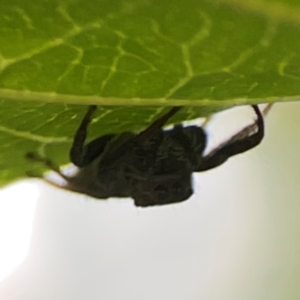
(235, 145)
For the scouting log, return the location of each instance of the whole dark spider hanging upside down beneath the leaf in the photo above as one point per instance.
(154, 167)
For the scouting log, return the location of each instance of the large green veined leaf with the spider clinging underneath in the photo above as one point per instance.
(134, 57)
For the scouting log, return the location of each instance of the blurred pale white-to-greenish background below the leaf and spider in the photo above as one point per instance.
(237, 238)
